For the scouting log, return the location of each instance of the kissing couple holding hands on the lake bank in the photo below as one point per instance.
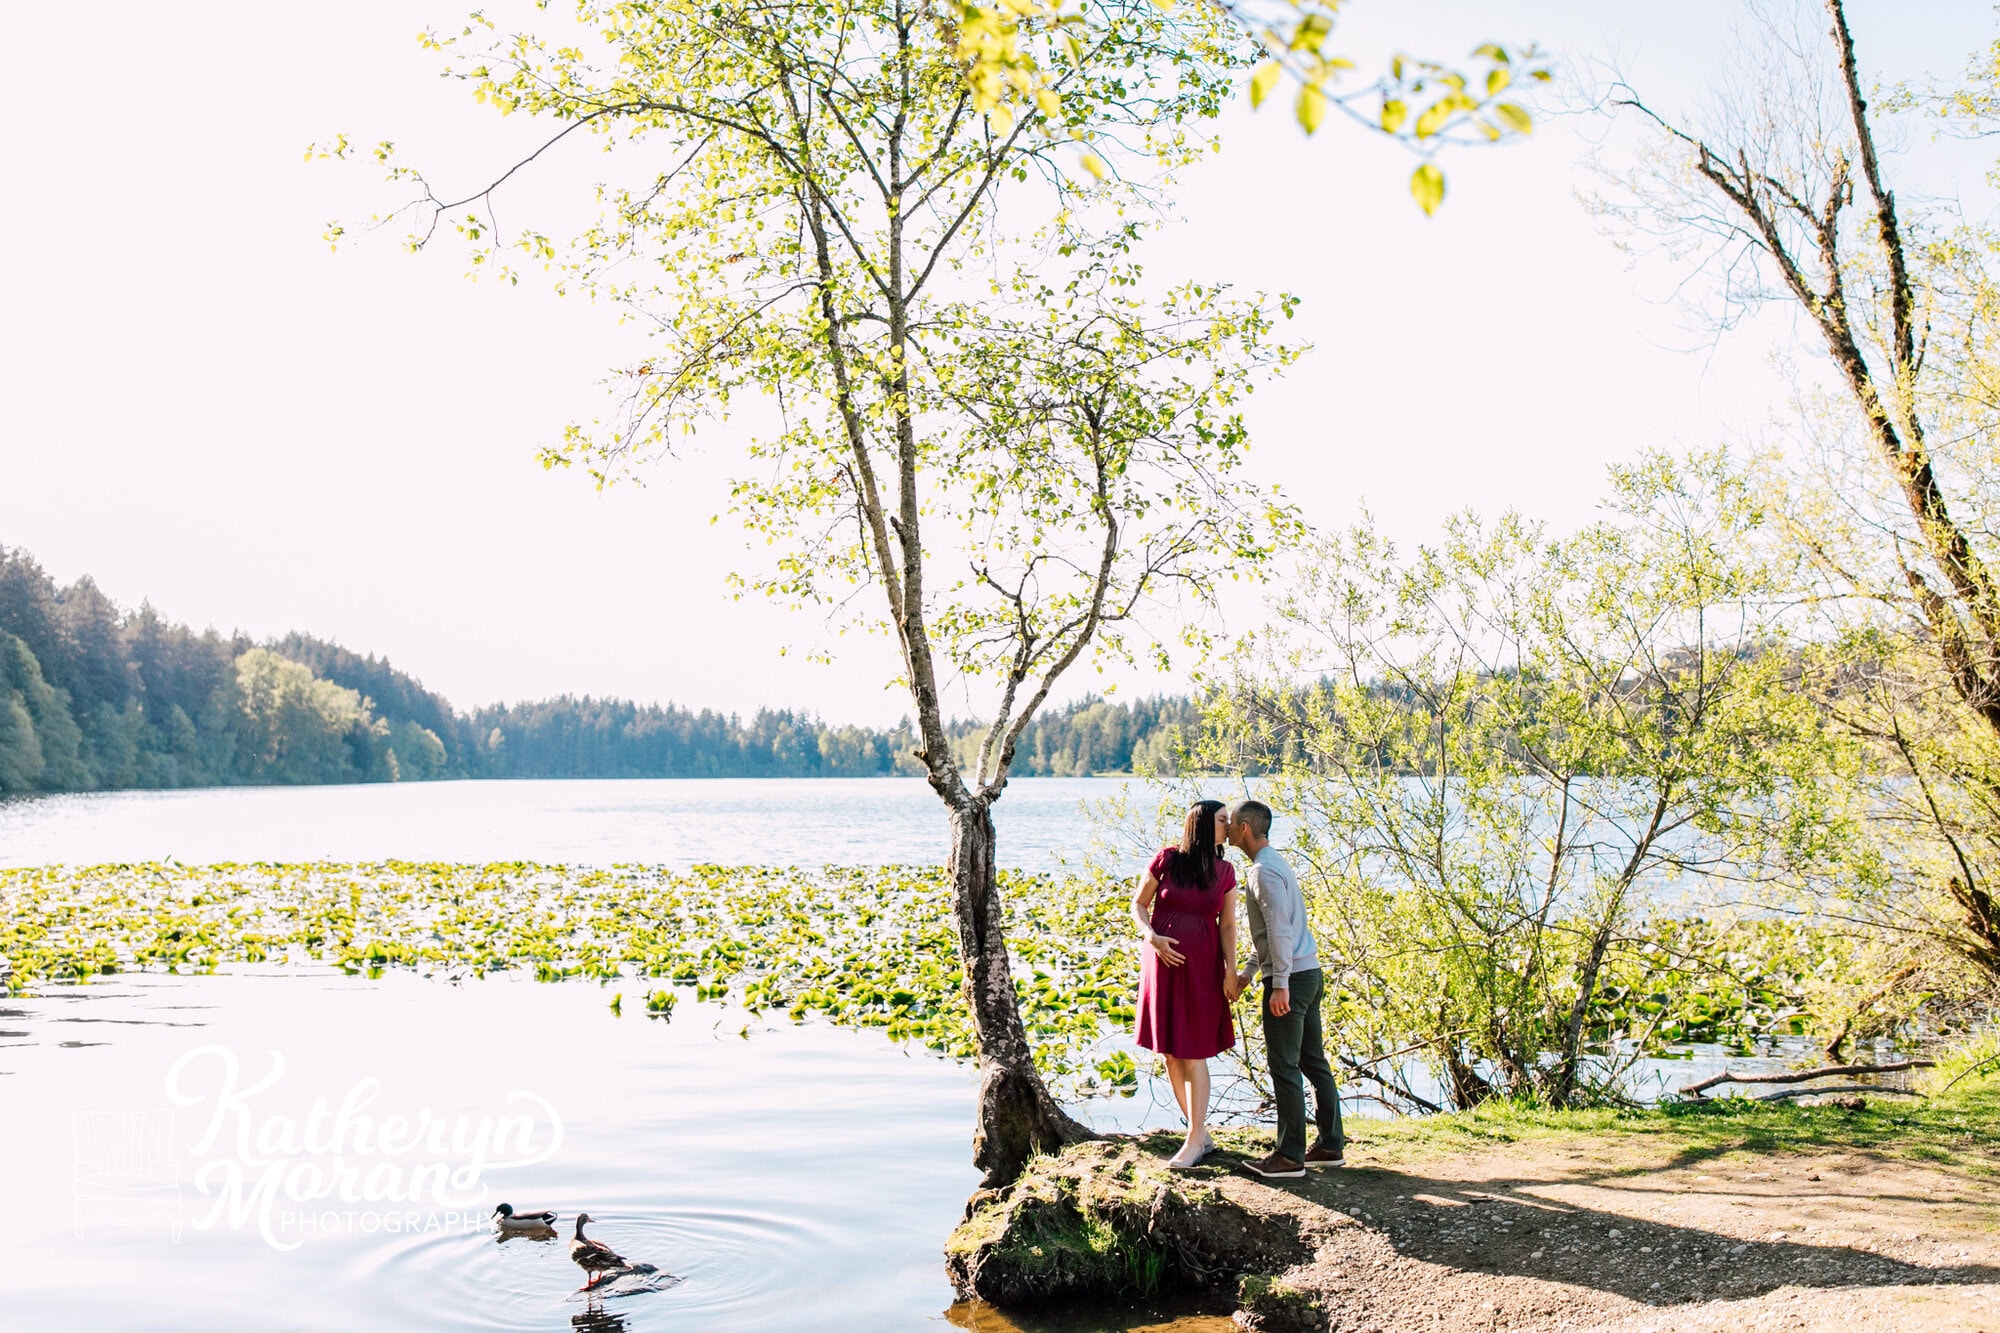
(1187, 916)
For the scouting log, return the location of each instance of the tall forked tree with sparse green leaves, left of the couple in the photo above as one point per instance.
(1011, 467)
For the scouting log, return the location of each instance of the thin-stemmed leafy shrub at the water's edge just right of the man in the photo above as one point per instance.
(1497, 748)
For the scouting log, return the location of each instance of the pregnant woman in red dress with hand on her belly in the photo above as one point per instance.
(1187, 916)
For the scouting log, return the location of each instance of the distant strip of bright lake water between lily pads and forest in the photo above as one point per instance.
(669, 822)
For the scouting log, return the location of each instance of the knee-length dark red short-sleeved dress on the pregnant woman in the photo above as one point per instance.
(1181, 1010)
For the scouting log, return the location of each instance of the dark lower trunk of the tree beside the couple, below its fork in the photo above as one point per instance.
(1017, 1114)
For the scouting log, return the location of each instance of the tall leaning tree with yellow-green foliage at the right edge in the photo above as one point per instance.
(1783, 193)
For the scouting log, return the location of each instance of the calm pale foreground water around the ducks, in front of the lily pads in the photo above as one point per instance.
(789, 1176)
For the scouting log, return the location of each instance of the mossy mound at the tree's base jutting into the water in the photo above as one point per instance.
(1109, 1220)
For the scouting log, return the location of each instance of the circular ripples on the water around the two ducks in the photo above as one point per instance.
(717, 1270)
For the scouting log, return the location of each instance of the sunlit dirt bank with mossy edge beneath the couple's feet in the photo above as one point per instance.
(1687, 1218)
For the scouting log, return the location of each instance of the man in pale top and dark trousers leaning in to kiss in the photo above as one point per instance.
(1293, 986)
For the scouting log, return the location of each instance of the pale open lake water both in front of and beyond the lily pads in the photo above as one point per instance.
(781, 1176)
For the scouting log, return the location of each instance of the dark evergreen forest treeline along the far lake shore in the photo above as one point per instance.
(97, 698)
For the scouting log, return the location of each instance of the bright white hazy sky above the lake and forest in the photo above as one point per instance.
(205, 407)
